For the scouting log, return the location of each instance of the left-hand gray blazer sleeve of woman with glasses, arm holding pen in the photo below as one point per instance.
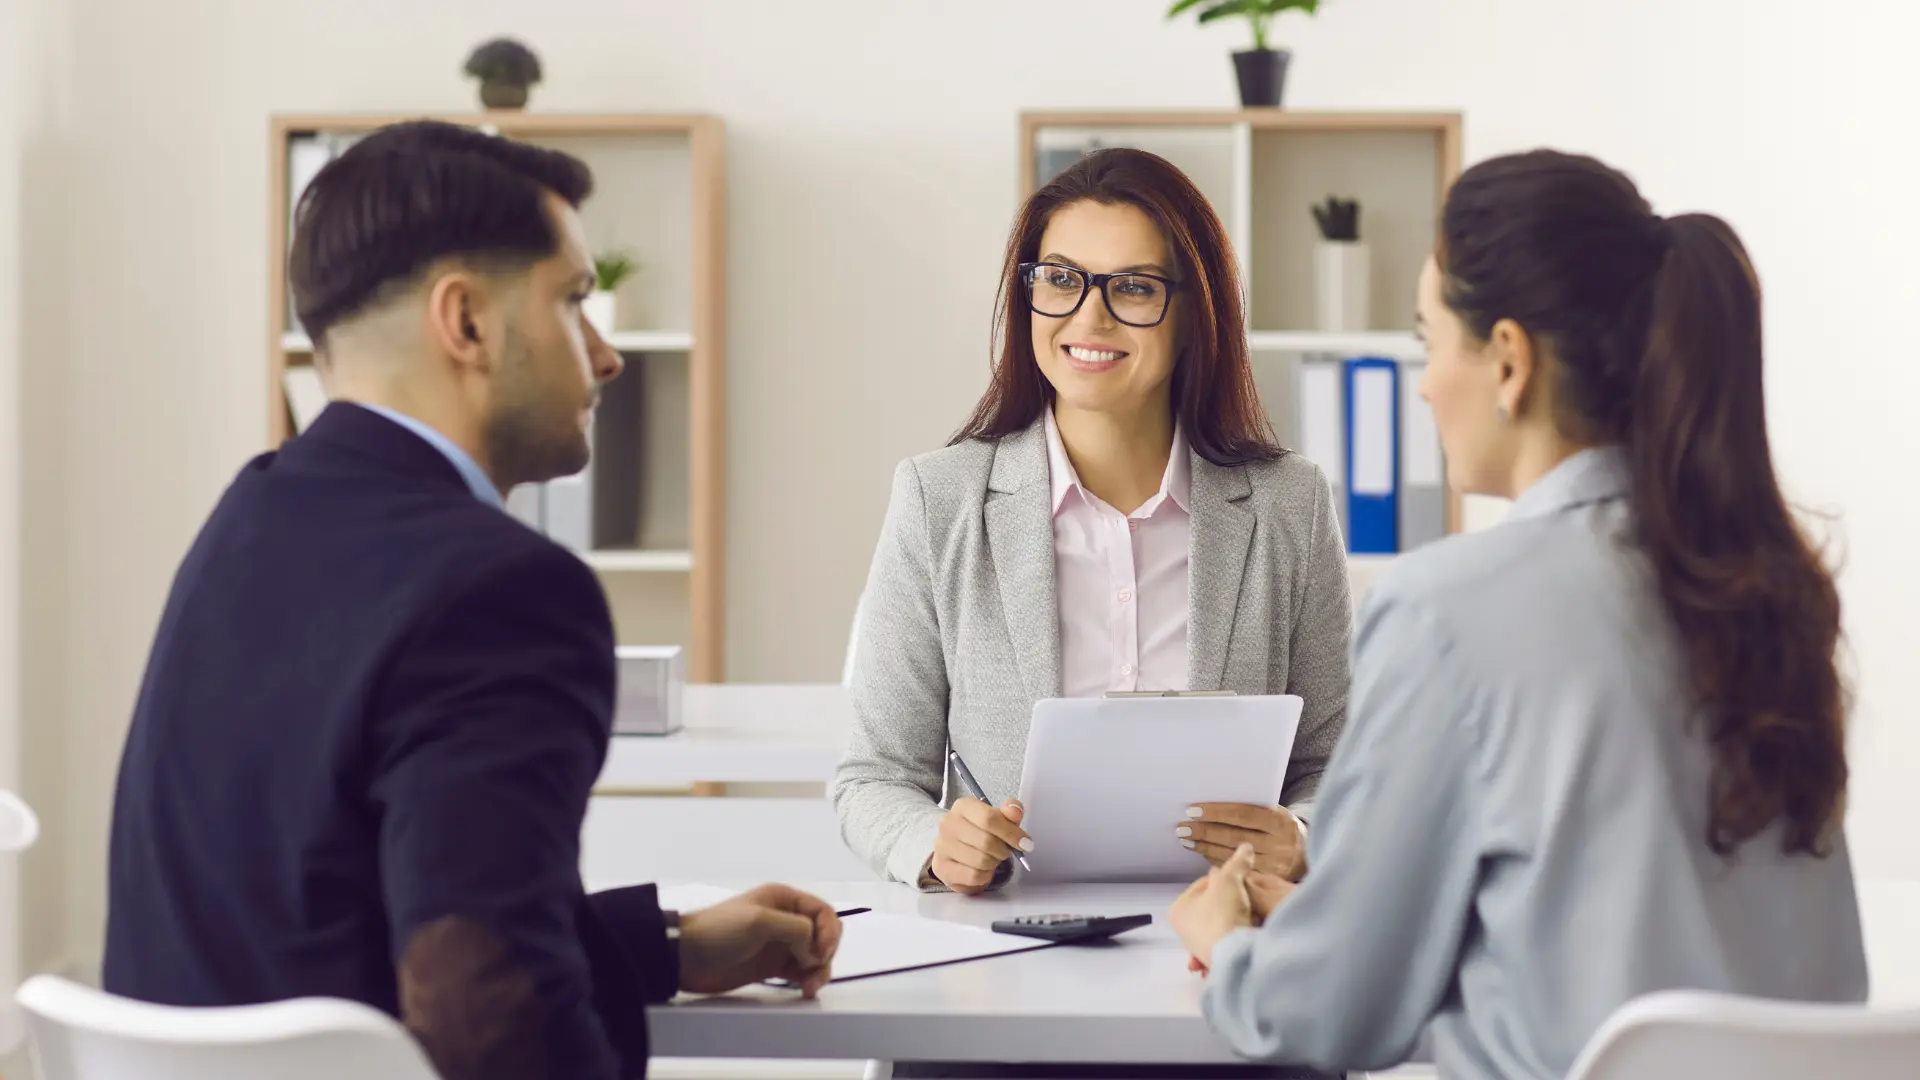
(888, 787)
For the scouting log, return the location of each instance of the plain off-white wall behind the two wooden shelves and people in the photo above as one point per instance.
(876, 141)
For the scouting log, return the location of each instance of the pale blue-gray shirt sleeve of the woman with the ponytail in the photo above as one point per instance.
(1378, 925)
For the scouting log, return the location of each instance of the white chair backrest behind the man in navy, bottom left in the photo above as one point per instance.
(84, 1035)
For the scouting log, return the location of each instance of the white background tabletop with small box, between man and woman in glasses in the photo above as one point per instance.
(740, 735)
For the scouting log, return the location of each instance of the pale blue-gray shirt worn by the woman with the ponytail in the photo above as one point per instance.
(1512, 841)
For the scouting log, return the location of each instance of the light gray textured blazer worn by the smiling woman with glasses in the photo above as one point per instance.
(961, 627)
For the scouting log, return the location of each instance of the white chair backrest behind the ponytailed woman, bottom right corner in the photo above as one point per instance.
(1685, 1035)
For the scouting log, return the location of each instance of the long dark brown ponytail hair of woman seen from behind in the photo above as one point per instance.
(1656, 333)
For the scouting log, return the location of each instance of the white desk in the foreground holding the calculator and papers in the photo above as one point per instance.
(1126, 1002)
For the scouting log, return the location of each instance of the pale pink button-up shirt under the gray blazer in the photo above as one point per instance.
(1122, 579)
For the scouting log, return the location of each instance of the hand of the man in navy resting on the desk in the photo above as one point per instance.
(769, 933)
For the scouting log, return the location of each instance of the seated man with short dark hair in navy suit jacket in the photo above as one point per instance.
(377, 704)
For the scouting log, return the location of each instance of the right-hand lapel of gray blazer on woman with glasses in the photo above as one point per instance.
(1222, 537)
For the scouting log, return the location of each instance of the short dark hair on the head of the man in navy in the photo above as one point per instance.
(412, 195)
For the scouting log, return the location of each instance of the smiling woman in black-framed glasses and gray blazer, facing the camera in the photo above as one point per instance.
(1115, 516)
